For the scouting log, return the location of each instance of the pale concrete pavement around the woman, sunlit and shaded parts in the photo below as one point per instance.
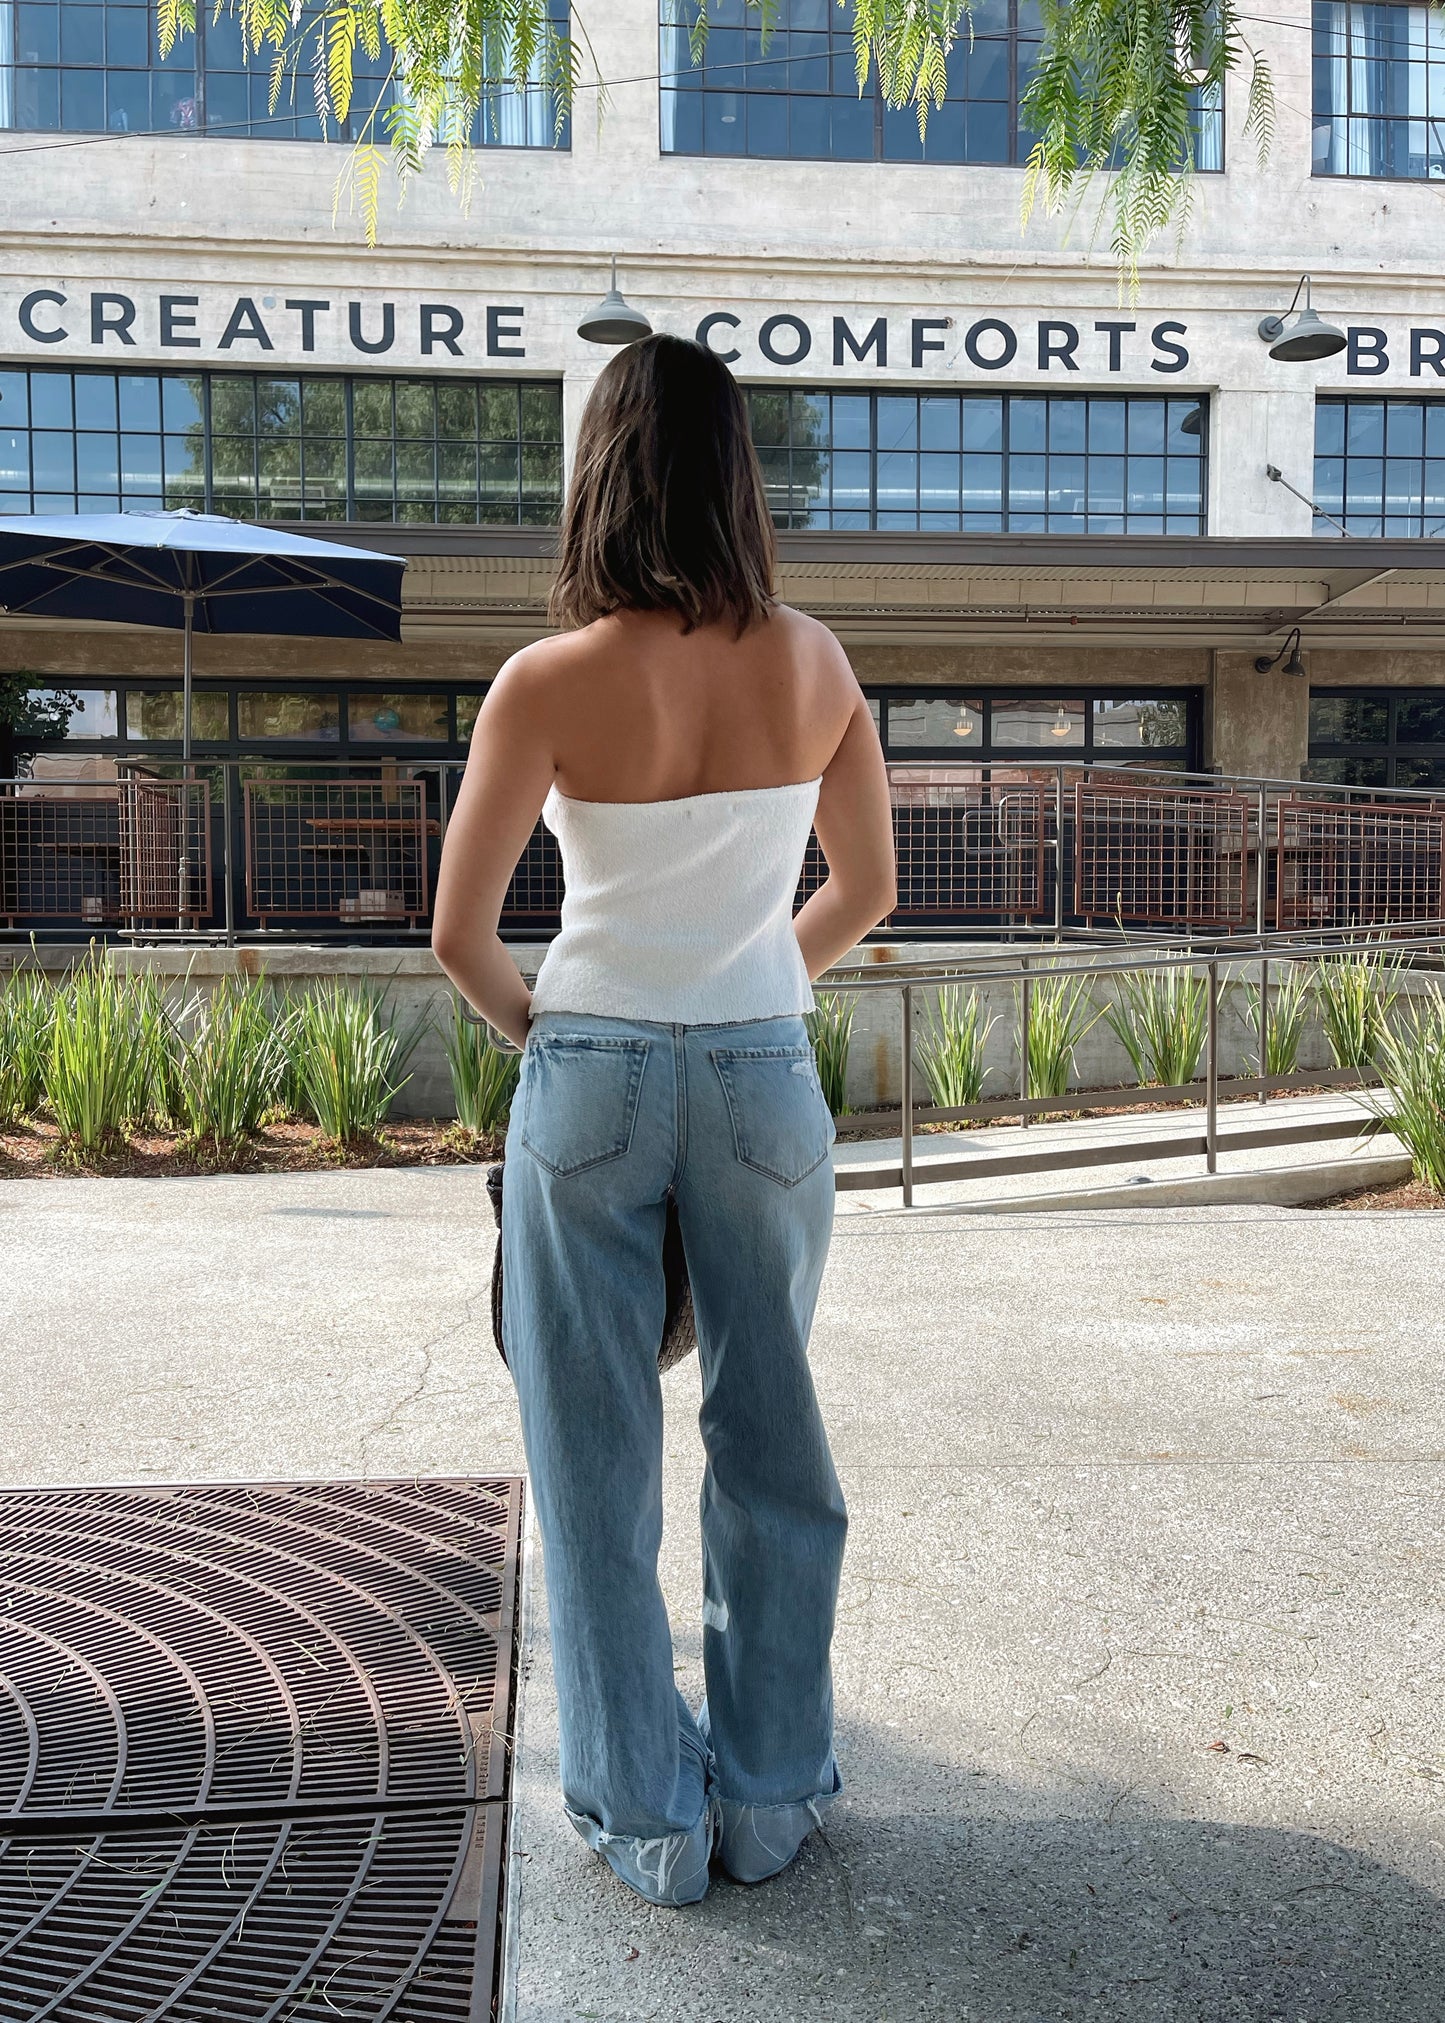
(1138, 1654)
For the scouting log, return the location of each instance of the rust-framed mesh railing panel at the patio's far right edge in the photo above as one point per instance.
(1359, 865)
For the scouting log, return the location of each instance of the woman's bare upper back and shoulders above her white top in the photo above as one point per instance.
(641, 711)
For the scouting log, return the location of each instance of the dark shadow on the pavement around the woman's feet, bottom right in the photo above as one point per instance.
(936, 1895)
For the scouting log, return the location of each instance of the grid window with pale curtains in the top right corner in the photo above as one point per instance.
(1379, 90)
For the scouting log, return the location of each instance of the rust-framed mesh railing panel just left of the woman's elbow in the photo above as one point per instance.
(349, 851)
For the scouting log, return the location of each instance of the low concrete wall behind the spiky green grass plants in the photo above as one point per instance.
(418, 990)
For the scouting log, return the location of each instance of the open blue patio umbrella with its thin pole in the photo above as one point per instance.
(193, 571)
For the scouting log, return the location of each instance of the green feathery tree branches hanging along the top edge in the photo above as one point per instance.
(1114, 92)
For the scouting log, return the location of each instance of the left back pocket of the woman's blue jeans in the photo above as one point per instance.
(580, 1100)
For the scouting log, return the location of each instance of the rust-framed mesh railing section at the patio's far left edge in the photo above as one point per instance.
(104, 855)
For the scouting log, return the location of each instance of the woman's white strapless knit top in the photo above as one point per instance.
(681, 909)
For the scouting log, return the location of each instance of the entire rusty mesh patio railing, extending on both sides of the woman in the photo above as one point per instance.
(979, 847)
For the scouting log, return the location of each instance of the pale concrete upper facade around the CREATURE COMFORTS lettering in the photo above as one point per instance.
(220, 217)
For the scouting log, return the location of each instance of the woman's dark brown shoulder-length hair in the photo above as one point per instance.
(667, 507)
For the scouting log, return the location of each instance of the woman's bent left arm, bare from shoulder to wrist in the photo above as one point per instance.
(503, 790)
